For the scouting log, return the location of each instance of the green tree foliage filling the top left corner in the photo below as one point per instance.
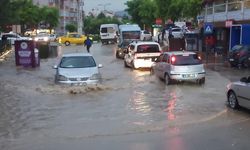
(24, 12)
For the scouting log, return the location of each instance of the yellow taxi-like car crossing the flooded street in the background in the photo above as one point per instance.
(72, 38)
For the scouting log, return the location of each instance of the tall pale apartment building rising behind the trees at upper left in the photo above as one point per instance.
(71, 12)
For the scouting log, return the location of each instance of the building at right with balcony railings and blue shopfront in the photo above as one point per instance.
(229, 19)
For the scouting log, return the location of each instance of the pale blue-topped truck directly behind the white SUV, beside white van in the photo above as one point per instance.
(127, 34)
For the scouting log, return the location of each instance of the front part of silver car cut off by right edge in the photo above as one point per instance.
(238, 93)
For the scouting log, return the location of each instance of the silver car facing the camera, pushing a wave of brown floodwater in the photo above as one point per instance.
(77, 69)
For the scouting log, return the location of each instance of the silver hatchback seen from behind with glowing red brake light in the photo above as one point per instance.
(179, 66)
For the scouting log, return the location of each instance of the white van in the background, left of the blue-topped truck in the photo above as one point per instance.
(108, 33)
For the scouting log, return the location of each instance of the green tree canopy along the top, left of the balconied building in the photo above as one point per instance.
(144, 12)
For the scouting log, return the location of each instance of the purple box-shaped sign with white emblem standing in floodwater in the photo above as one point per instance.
(24, 52)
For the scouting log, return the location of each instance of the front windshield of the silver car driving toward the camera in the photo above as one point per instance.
(77, 62)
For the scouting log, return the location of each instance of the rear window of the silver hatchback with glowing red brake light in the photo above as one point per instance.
(186, 59)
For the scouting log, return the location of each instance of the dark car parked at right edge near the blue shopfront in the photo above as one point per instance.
(239, 56)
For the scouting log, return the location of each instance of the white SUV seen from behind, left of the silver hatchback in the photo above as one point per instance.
(141, 54)
